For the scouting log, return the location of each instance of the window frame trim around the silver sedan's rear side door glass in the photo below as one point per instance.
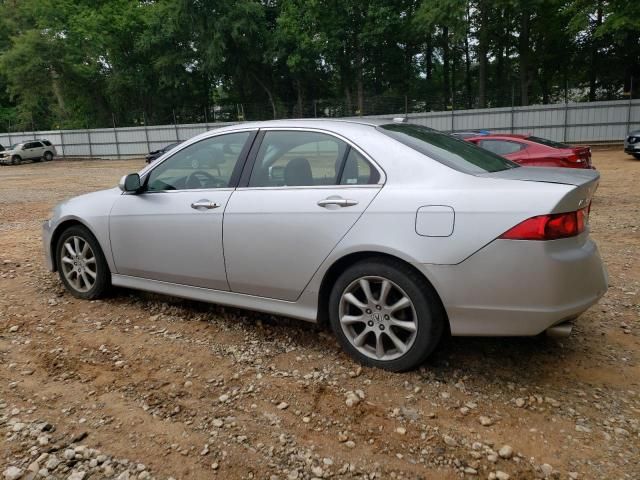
(253, 154)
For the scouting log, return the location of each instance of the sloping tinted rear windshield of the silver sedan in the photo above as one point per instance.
(446, 149)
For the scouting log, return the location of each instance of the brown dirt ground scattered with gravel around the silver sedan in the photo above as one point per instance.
(142, 386)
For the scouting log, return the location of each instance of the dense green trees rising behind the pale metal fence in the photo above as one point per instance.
(79, 63)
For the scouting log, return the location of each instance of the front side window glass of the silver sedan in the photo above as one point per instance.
(208, 163)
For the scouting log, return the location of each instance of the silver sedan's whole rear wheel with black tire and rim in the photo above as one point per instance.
(418, 326)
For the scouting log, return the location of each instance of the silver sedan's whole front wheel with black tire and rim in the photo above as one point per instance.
(77, 270)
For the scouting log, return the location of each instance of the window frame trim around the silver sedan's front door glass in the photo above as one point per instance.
(235, 175)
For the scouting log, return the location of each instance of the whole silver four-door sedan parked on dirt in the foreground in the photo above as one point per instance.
(392, 233)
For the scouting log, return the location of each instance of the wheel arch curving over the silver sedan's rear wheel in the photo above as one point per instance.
(344, 262)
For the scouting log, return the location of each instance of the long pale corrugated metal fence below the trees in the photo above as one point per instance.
(573, 122)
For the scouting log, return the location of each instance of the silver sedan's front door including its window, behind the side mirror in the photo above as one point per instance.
(172, 231)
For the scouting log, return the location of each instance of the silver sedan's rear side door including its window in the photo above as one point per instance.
(305, 190)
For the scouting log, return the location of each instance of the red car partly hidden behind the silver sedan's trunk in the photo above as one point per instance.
(534, 151)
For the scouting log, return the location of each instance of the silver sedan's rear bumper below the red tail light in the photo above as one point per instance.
(519, 288)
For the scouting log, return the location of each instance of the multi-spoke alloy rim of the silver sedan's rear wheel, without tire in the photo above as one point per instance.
(378, 318)
